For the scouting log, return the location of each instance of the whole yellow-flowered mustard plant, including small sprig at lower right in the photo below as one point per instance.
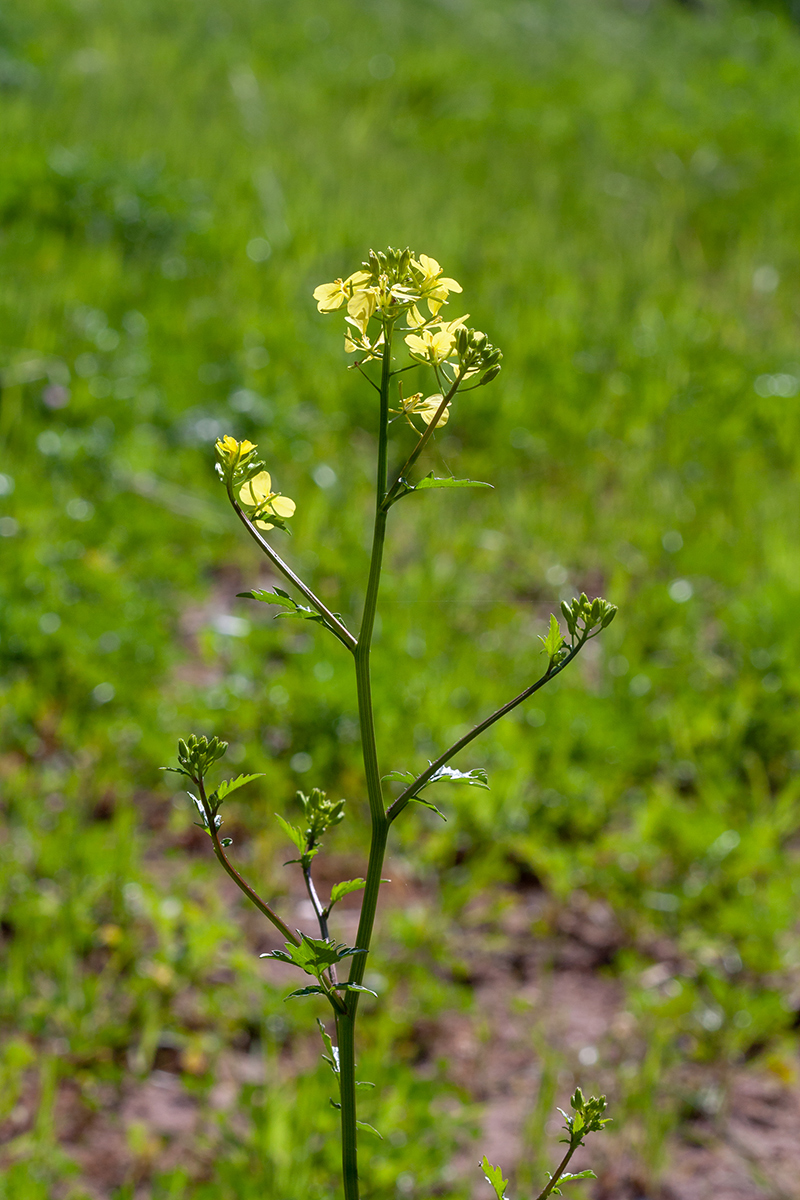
(393, 305)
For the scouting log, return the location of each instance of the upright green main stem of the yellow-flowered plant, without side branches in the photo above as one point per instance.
(378, 817)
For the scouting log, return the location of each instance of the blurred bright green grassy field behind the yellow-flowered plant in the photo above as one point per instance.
(616, 188)
